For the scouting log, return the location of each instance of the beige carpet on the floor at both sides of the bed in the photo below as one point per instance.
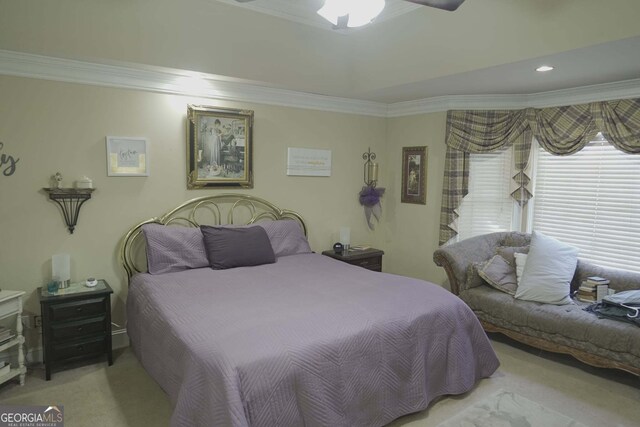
(124, 394)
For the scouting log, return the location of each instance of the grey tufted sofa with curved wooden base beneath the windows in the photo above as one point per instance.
(558, 328)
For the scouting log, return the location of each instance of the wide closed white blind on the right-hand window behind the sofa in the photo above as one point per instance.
(591, 200)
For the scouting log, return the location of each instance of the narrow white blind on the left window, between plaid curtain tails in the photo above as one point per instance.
(488, 207)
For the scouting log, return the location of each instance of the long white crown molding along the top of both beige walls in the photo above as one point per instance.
(187, 83)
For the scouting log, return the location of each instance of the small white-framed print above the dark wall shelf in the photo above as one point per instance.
(127, 156)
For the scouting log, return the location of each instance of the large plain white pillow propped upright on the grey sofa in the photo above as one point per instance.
(548, 271)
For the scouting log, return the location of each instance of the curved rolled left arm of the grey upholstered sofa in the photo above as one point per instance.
(457, 257)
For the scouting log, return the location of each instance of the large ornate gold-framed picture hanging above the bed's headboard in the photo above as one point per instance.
(219, 147)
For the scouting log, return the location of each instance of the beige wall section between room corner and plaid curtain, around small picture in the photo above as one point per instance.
(411, 230)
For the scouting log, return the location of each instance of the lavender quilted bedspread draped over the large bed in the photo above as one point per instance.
(305, 341)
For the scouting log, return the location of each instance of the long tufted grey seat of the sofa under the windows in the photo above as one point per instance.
(568, 325)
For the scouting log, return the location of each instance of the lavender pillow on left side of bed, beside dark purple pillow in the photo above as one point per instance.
(173, 248)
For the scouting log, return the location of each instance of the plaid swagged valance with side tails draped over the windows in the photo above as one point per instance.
(559, 130)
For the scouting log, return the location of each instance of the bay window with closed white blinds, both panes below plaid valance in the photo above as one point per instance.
(590, 200)
